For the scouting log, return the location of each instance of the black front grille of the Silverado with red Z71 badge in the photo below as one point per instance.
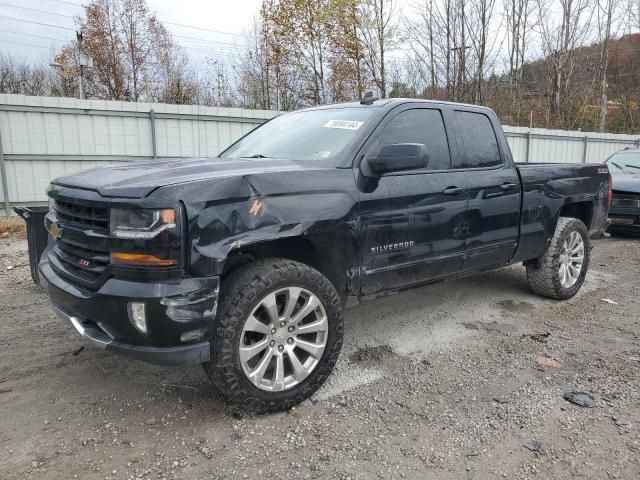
(81, 261)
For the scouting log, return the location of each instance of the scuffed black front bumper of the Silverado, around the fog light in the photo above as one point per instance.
(180, 315)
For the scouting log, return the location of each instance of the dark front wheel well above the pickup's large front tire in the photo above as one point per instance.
(317, 252)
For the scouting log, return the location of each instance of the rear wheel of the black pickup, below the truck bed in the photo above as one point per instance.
(560, 272)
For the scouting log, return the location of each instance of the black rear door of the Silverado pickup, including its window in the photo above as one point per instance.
(494, 190)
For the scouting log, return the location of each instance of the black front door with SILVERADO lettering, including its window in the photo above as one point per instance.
(413, 222)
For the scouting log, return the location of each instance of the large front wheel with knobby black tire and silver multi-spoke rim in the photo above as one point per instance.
(278, 335)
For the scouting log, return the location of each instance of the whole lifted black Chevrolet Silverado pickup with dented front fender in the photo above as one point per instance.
(243, 262)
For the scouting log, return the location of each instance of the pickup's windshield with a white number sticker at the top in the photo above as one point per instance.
(313, 135)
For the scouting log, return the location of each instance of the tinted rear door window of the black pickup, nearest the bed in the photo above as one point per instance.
(479, 142)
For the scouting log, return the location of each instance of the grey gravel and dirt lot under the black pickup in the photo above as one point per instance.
(440, 382)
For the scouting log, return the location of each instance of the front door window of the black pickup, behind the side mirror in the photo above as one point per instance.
(420, 125)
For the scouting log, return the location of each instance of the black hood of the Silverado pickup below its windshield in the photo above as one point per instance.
(138, 179)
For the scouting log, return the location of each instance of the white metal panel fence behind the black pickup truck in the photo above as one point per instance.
(45, 137)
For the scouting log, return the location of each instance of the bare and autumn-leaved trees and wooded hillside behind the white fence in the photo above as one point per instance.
(571, 64)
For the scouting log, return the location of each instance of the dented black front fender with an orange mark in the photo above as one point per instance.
(232, 213)
